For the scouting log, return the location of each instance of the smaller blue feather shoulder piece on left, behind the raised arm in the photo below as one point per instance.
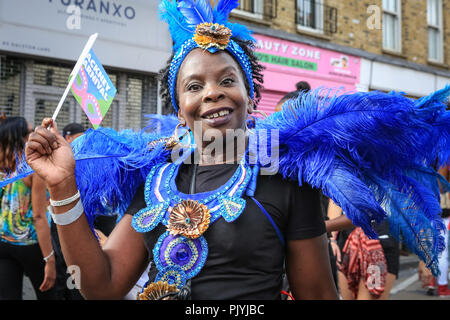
(111, 165)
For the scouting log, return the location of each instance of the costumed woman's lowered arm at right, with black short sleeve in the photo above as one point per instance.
(308, 264)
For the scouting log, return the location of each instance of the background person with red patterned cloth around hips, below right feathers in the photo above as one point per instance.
(354, 250)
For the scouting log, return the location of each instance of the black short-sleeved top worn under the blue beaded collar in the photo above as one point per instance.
(245, 259)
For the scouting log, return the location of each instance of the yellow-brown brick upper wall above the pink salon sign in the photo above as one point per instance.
(353, 31)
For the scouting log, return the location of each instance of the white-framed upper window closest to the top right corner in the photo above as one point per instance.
(435, 33)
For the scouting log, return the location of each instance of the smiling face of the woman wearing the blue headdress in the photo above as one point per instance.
(211, 91)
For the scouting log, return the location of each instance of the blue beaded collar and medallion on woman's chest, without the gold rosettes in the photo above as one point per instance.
(175, 253)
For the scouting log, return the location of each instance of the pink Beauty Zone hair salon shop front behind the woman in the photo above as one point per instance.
(289, 62)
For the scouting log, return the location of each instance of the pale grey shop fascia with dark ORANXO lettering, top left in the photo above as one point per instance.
(131, 36)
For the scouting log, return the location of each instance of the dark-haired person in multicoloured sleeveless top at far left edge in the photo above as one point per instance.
(25, 245)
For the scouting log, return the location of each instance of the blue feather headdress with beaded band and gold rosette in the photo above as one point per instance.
(195, 24)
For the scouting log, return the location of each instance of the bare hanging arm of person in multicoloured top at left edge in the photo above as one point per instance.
(39, 206)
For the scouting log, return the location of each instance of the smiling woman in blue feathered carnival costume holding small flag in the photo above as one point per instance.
(225, 227)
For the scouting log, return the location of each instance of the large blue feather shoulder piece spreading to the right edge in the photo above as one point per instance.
(372, 153)
